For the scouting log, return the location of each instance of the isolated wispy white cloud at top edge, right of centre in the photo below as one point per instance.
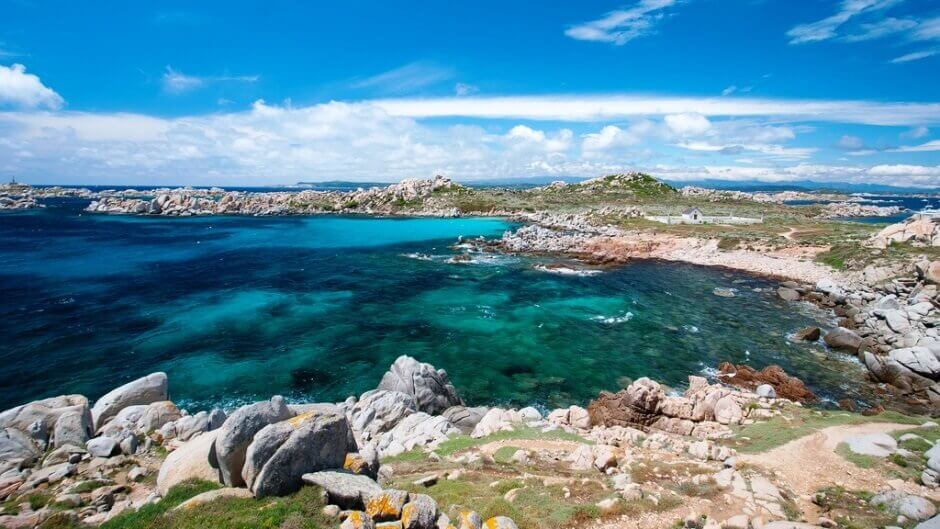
(621, 26)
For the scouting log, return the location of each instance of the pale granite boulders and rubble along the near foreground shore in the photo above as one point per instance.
(131, 447)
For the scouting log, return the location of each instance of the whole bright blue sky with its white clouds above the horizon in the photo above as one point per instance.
(256, 93)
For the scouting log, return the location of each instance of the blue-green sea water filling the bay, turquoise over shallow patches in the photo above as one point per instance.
(316, 308)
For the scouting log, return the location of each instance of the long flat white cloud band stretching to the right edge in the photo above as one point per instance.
(595, 108)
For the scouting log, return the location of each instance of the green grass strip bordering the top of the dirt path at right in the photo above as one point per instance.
(799, 422)
